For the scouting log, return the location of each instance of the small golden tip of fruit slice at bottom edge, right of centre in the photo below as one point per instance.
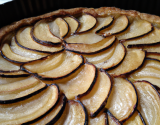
(135, 119)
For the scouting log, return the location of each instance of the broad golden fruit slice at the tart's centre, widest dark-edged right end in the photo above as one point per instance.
(85, 78)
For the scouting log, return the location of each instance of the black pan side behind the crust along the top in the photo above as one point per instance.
(19, 9)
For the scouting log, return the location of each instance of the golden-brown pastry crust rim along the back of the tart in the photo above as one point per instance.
(155, 20)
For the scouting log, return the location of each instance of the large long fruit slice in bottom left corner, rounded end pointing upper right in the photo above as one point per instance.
(29, 109)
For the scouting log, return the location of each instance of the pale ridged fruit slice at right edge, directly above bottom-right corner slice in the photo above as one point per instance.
(150, 71)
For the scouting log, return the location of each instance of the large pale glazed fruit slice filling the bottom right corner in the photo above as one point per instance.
(149, 102)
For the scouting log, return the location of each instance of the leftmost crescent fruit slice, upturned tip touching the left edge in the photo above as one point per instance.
(8, 54)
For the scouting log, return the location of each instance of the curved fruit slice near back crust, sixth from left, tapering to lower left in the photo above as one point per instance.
(119, 25)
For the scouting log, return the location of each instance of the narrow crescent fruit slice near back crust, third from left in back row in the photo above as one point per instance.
(73, 23)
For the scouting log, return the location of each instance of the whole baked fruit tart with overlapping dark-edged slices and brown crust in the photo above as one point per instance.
(81, 66)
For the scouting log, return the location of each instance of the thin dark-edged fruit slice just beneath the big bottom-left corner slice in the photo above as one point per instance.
(53, 114)
